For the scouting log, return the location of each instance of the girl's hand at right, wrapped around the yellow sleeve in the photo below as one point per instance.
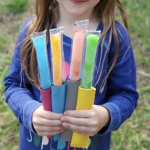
(87, 122)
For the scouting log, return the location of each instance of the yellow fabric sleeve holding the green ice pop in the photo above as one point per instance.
(85, 101)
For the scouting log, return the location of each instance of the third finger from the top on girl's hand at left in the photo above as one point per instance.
(48, 129)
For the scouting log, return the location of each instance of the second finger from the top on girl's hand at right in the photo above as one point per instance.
(76, 121)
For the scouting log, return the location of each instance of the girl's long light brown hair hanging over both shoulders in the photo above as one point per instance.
(45, 19)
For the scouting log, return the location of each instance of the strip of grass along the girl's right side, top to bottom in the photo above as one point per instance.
(133, 134)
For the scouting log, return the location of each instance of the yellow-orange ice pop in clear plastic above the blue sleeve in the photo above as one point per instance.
(57, 59)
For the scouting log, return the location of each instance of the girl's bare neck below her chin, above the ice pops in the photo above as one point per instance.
(63, 18)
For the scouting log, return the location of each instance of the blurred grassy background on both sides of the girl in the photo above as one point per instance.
(134, 134)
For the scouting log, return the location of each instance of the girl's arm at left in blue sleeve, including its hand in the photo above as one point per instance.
(23, 103)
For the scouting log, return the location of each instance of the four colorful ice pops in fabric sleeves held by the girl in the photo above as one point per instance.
(59, 95)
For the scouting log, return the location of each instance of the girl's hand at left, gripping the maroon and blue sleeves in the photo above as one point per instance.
(46, 123)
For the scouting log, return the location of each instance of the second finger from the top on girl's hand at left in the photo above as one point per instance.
(45, 122)
